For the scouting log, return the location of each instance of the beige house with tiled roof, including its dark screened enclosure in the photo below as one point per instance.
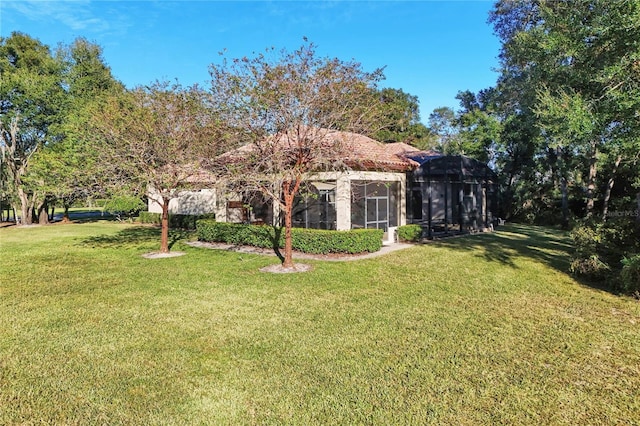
(380, 186)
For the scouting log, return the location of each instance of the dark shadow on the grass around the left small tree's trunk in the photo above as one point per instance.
(136, 236)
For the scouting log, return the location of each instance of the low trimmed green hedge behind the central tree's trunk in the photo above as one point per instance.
(305, 240)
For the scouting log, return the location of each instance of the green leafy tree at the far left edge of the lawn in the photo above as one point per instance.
(31, 96)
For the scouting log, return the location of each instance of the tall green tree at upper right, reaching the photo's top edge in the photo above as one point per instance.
(583, 51)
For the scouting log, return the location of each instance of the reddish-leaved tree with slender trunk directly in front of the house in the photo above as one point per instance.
(287, 105)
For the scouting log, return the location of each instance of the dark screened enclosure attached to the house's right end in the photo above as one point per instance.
(450, 194)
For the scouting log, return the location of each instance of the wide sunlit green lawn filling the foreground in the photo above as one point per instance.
(486, 329)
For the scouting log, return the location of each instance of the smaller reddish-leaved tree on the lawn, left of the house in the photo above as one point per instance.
(153, 140)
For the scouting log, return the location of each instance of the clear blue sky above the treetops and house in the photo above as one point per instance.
(430, 49)
